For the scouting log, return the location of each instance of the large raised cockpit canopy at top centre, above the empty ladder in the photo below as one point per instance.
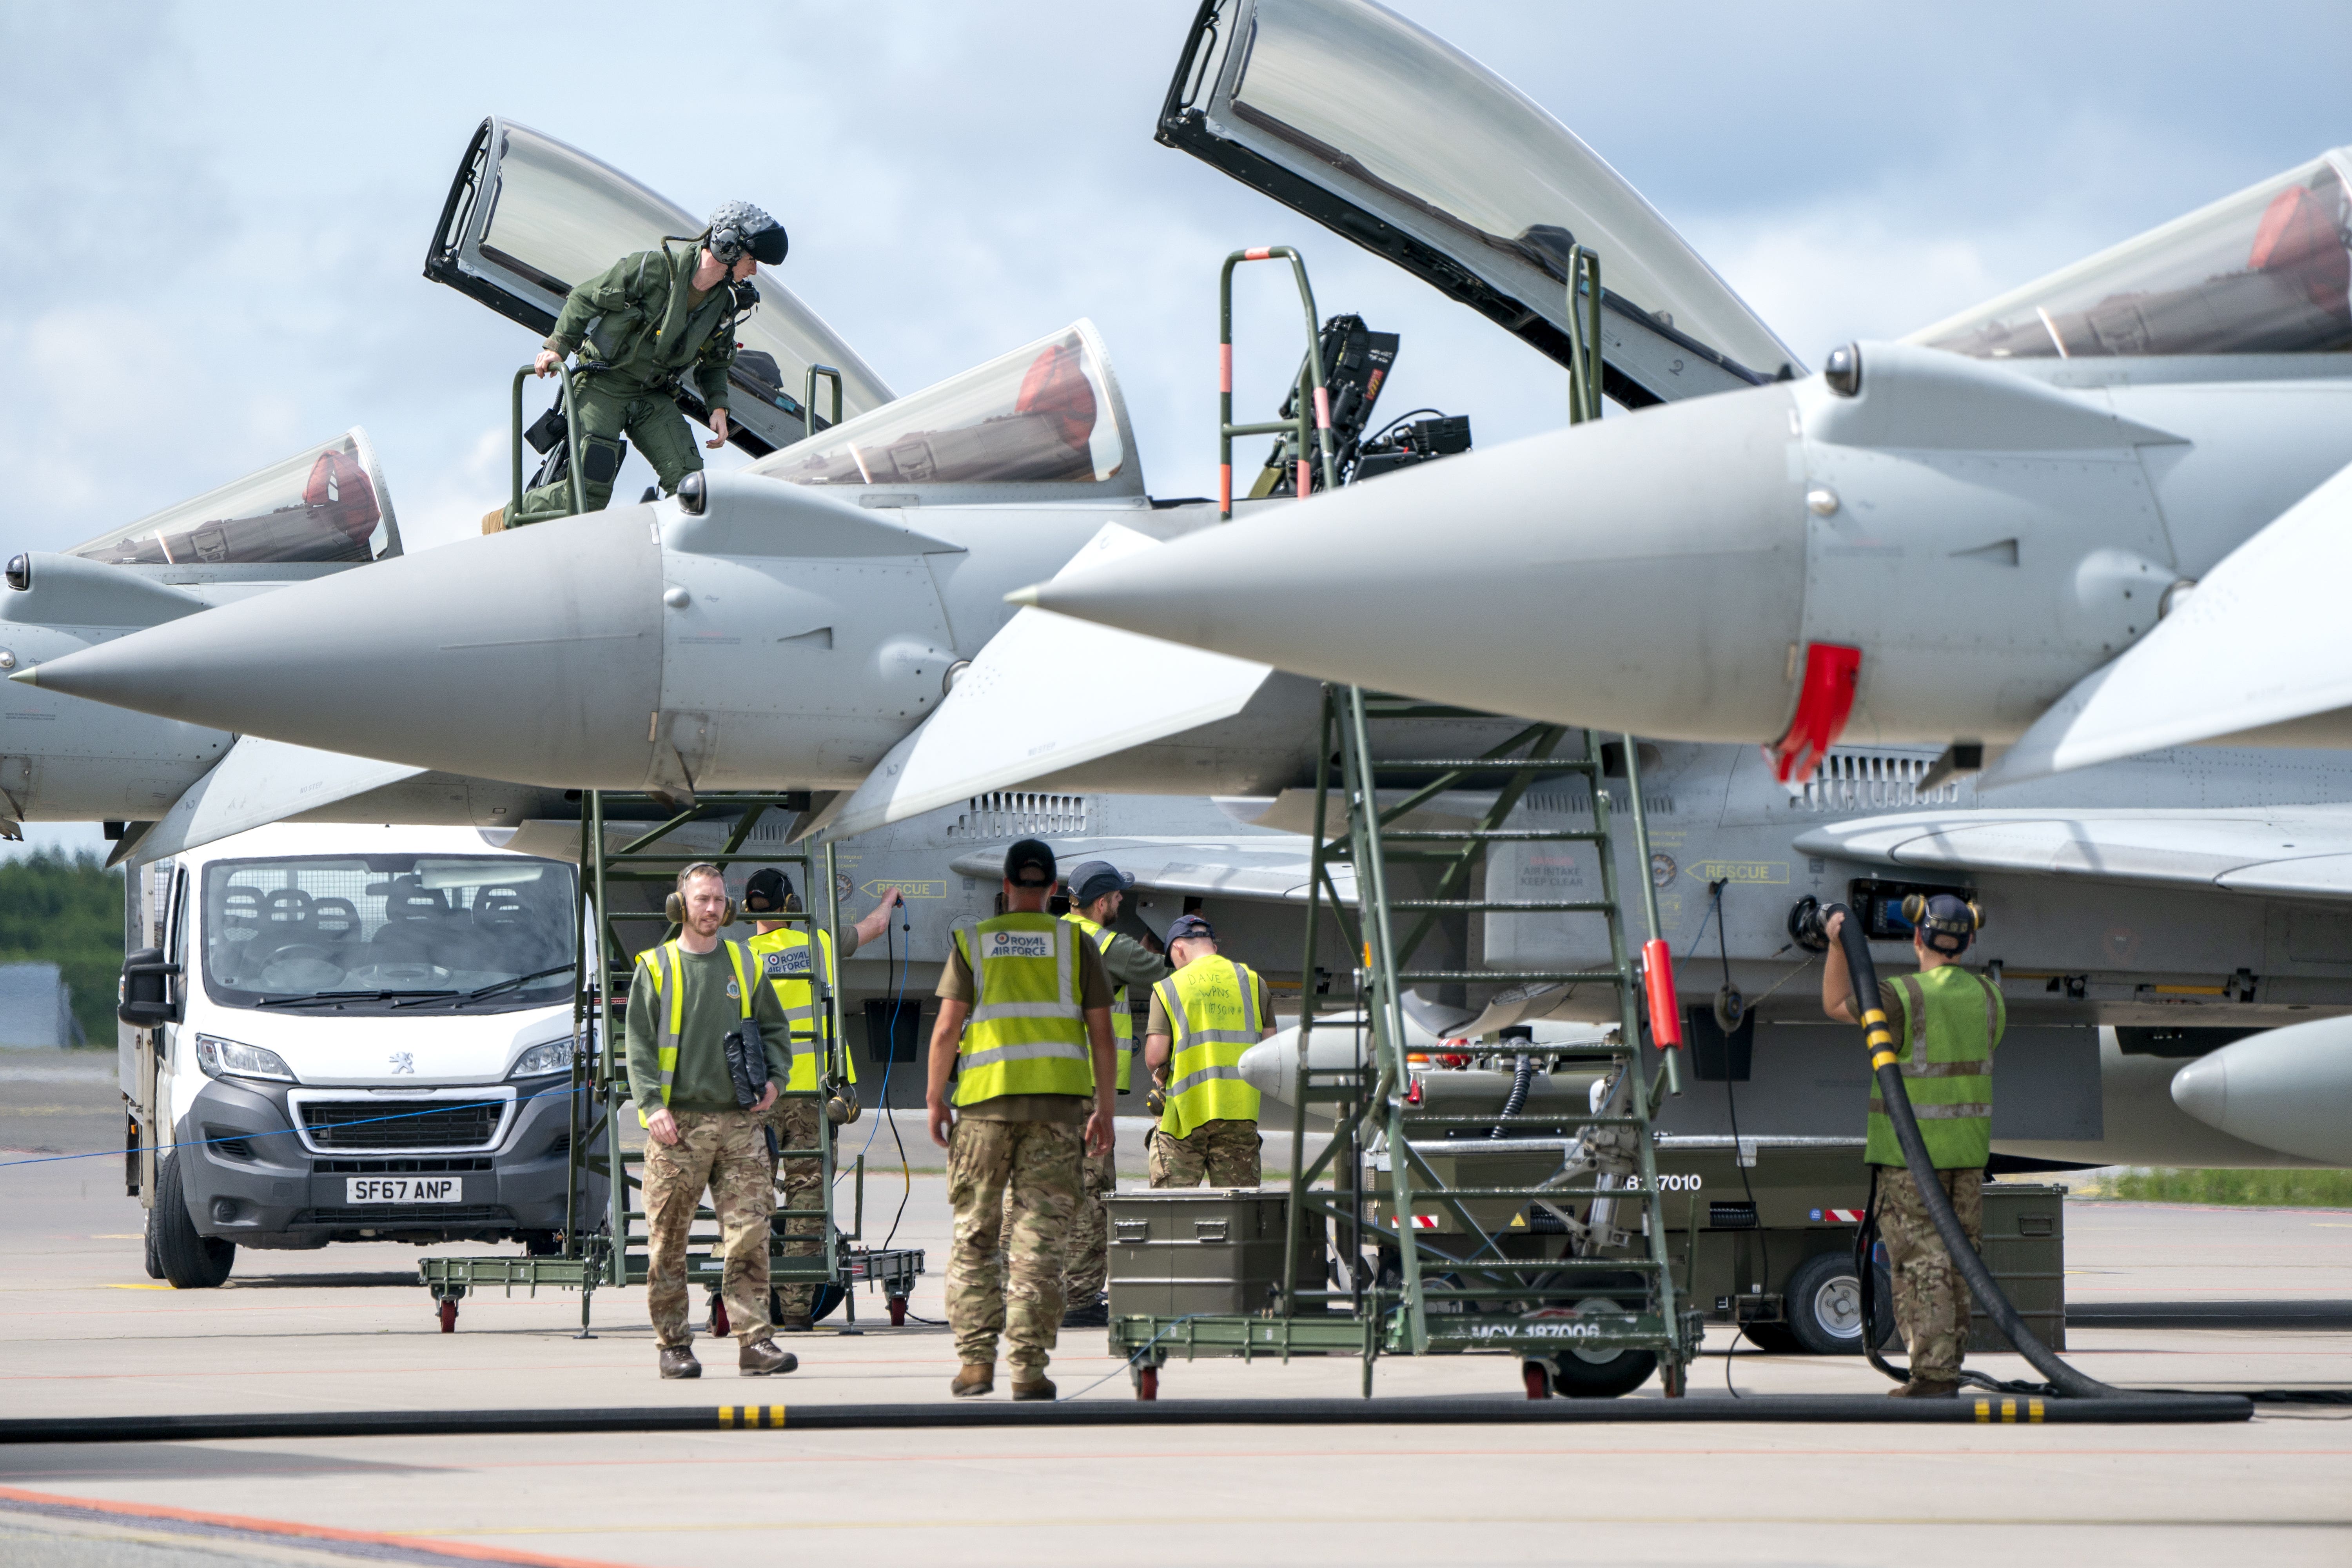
(1417, 152)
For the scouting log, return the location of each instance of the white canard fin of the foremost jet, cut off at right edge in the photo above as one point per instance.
(2261, 652)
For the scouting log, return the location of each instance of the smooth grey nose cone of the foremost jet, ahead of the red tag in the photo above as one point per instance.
(1638, 575)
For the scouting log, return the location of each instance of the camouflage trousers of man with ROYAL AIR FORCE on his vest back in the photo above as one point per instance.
(1015, 1188)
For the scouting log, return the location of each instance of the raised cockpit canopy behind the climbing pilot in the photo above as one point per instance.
(530, 217)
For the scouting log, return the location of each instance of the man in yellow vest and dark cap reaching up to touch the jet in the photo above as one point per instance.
(784, 960)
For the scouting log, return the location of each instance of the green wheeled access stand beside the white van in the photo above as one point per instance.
(627, 885)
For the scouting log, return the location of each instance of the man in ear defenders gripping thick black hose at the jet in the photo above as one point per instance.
(1946, 1024)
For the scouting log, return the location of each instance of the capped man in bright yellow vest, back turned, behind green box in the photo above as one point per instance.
(1205, 1017)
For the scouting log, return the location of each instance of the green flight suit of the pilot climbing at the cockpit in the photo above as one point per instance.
(641, 330)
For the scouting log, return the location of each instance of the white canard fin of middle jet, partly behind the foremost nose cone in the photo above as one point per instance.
(1048, 695)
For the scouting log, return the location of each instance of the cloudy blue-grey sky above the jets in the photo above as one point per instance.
(220, 215)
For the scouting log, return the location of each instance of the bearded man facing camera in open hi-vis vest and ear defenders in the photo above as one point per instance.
(683, 1003)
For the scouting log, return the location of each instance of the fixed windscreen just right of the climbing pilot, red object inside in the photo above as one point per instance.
(1045, 415)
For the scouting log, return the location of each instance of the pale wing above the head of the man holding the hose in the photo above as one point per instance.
(2294, 852)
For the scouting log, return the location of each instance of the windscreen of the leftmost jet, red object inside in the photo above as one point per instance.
(323, 504)
